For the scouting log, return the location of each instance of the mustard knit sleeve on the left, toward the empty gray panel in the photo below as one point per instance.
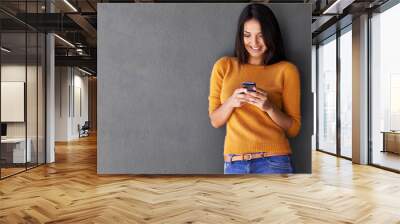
(217, 76)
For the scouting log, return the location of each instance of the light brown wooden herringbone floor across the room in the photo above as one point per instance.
(70, 191)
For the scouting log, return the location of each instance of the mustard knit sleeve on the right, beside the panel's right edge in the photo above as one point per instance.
(291, 98)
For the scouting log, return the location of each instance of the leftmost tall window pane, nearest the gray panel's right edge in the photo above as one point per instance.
(327, 97)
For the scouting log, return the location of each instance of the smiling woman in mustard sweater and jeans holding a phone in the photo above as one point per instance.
(259, 121)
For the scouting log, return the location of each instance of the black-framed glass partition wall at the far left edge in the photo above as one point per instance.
(22, 101)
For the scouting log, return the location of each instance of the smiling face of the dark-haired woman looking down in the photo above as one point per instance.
(253, 41)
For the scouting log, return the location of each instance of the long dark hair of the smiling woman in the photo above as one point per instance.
(270, 31)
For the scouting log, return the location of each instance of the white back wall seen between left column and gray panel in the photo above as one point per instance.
(70, 83)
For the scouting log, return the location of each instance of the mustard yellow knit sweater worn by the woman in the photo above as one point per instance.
(250, 129)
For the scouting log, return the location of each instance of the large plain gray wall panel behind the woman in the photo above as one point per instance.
(154, 64)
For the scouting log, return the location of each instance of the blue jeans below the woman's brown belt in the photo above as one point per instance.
(267, 165)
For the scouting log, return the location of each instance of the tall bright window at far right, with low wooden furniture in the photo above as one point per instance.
(385, 88)
